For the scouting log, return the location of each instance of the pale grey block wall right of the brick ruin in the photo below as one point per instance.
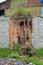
(37, 36)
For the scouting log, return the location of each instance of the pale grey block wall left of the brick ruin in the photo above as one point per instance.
(4, 32)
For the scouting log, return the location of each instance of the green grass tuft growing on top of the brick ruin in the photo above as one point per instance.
(20, 10)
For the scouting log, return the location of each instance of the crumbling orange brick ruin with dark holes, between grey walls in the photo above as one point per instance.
(21, 29)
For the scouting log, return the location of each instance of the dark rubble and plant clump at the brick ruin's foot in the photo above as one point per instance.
(28, 51)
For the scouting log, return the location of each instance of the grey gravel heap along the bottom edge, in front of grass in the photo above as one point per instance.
(14, 62)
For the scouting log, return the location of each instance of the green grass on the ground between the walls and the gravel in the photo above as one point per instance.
(14, 53)
